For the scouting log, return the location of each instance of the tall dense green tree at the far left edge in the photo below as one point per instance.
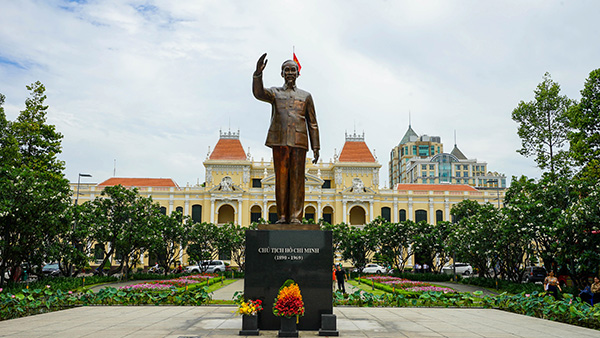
(35, 194)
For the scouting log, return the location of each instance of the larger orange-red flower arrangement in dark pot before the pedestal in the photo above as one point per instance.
(289, 306)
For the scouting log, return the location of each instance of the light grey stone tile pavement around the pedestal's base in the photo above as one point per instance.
(220, 321)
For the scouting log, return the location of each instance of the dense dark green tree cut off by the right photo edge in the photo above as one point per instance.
(585, 124)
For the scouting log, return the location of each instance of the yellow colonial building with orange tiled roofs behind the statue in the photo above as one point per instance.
(346, 189)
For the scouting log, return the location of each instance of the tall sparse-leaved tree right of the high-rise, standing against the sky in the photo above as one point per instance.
(543, 127)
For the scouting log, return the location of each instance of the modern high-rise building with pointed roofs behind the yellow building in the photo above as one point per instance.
(421, 159)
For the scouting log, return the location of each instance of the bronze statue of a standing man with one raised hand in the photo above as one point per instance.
(293, 120)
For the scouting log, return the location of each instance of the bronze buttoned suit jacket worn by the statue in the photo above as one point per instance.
(292, 114)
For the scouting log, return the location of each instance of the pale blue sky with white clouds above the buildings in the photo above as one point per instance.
(150, 83)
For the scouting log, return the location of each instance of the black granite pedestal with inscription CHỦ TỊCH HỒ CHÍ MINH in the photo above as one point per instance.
(306, 256)
